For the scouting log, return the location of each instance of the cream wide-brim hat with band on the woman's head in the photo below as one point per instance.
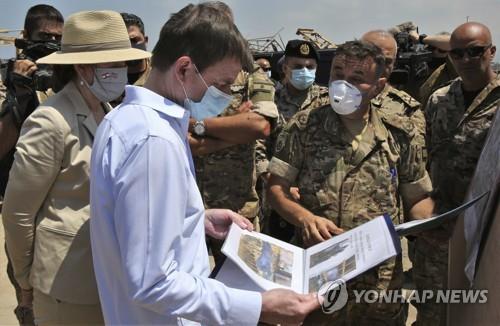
(91, 37)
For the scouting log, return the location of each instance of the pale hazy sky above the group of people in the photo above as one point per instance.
(337, 20)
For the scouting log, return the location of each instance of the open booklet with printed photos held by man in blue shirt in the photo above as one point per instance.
(259, 262)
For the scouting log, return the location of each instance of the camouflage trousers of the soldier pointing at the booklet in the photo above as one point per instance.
(388, 276)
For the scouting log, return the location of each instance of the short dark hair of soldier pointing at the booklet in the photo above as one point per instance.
(362, 50)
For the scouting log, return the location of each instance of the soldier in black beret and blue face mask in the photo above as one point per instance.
(294, 95)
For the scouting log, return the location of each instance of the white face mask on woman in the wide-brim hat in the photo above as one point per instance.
(108, 83)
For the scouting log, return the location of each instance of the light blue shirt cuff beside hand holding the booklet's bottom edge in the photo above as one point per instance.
(245, 307)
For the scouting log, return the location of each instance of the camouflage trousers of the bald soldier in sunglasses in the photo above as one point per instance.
(430, 272)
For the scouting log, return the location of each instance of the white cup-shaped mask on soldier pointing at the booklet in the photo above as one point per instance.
(345, 98)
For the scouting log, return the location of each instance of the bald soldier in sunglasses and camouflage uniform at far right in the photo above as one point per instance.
(459, 117)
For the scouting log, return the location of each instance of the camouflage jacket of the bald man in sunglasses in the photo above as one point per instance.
(456, 135)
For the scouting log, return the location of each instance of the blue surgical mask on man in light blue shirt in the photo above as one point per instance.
(213, 102)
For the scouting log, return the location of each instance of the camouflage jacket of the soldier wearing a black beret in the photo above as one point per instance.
(288, 105)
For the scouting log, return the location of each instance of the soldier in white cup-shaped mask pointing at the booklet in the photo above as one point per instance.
(349, 169)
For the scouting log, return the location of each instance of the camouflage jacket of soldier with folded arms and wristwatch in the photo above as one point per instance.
(226, 178)
